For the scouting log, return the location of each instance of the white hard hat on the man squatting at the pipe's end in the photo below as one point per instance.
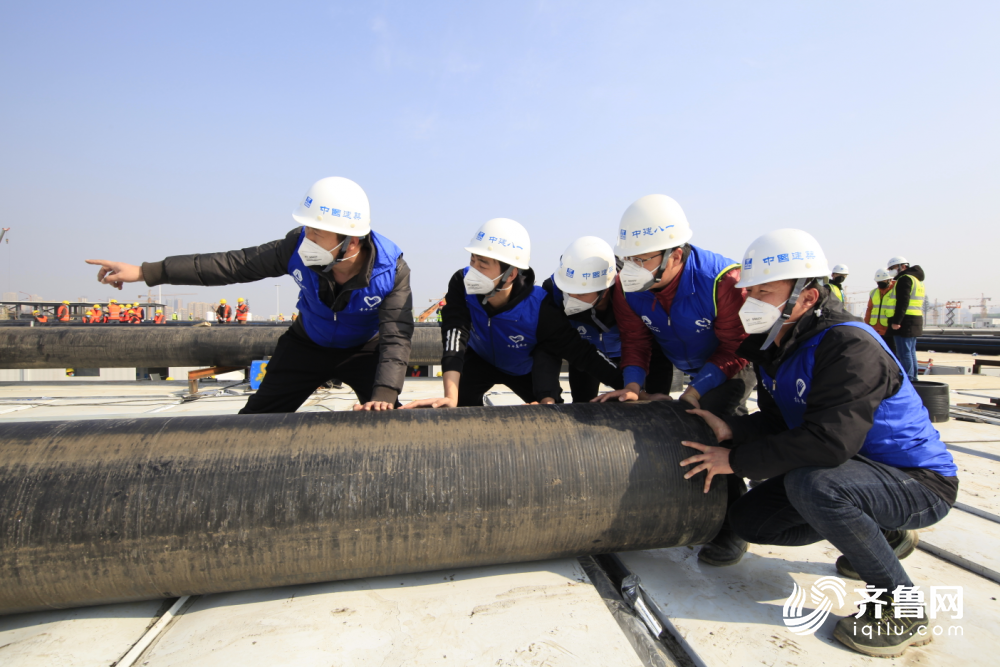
(782, 255)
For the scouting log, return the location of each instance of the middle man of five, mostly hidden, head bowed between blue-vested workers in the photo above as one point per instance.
(581, 287)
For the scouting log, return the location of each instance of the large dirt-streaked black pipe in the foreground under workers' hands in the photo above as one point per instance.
(95, 512)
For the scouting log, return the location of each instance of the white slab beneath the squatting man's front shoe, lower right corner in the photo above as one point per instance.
(733, 615)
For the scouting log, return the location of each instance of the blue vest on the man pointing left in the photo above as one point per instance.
(357, 323)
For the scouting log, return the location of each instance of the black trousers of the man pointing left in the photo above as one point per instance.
(299, 366)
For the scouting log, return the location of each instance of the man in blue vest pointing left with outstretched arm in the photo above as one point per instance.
(354, 299)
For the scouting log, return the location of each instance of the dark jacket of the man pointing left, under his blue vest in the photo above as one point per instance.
(270, 260)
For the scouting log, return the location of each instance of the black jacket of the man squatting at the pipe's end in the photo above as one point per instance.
(852, 375)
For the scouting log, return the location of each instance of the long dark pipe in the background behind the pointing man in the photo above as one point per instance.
(127, 346)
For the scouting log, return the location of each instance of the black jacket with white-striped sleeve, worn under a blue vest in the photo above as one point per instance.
(554, 335)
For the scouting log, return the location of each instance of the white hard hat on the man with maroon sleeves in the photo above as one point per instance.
(654, 222)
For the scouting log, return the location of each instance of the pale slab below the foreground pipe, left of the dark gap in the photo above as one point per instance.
(545, 613)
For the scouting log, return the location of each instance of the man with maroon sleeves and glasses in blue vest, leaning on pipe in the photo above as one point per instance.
(685, 301)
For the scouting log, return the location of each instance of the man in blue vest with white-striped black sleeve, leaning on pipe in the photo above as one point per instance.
(494, 320)
